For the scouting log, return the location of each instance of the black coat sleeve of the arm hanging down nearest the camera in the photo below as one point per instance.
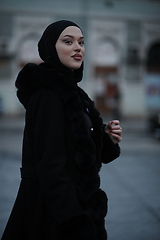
(48, 124)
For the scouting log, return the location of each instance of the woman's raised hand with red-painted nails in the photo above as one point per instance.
(114, 130)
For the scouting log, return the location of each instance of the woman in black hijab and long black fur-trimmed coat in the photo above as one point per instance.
(65, 143)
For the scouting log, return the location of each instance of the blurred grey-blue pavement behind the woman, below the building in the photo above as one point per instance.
(131, 182)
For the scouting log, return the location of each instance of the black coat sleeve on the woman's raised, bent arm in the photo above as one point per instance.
(110, 151)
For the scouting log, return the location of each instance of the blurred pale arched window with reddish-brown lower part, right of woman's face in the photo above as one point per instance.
(106, 62)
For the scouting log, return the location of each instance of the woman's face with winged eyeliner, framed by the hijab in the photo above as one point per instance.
(70, 47)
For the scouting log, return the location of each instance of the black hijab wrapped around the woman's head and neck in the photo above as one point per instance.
(48, 53)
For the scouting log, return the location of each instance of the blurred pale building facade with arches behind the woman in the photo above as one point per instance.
(122, 40)
